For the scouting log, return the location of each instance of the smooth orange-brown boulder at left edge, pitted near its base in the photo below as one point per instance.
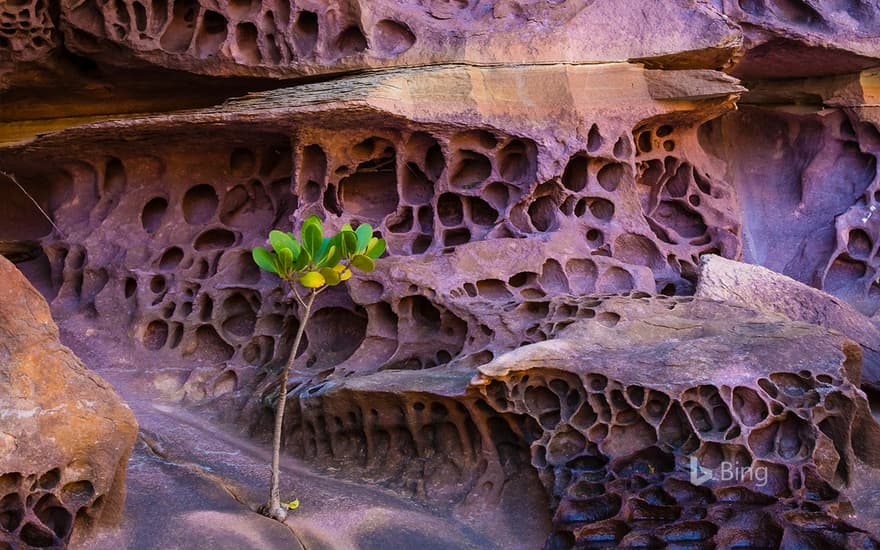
(65, 435)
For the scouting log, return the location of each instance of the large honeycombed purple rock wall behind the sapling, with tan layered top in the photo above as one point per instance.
(159, 241)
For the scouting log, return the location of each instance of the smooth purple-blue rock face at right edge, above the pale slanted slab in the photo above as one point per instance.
(817, 223)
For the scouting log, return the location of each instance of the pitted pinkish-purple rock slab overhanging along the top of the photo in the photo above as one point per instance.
(287, 39)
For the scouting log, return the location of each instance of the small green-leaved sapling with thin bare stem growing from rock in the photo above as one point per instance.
(315, 263)
